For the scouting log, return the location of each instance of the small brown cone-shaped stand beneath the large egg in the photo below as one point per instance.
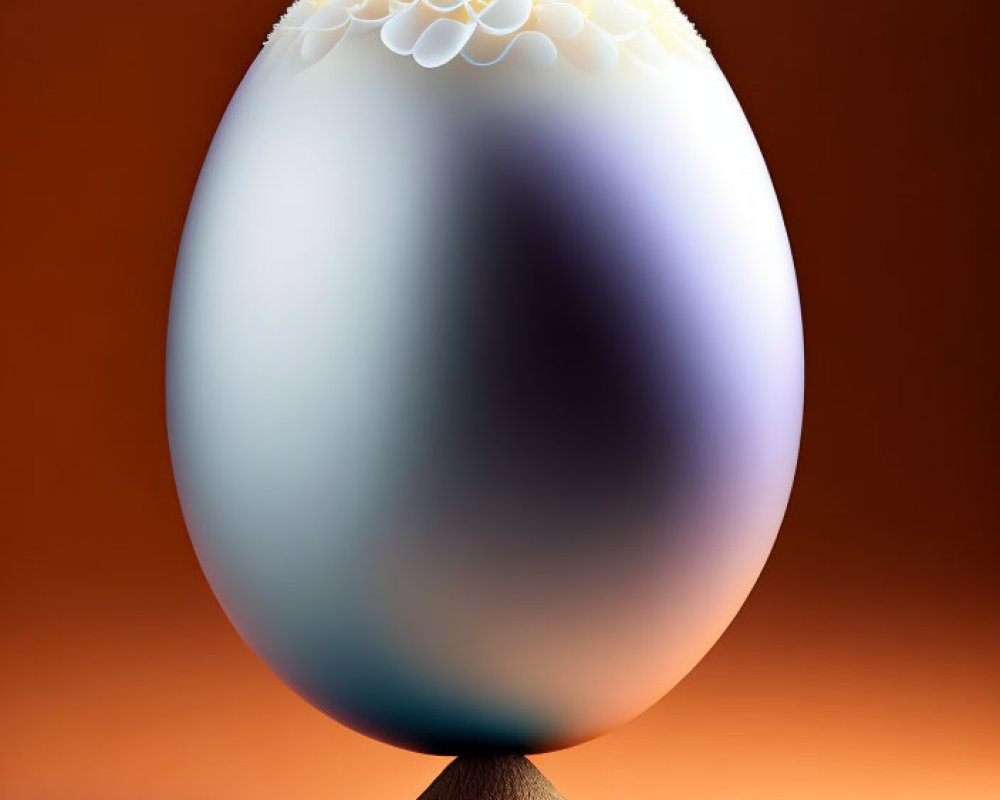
(491, 778)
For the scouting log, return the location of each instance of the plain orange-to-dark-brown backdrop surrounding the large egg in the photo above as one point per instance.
(865, 664)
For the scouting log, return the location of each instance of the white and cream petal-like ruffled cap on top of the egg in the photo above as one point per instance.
(593, 35)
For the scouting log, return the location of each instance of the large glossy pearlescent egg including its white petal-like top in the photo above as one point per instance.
(484, 364)
